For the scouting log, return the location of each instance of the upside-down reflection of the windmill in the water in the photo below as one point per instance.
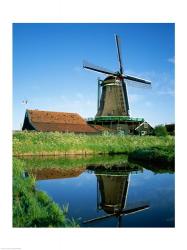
(112, 192)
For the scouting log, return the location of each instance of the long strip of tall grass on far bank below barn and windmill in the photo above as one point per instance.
(32, 143)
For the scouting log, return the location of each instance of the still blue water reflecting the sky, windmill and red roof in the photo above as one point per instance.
(111, 197)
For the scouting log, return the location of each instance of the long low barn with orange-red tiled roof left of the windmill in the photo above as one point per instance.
(48, 121)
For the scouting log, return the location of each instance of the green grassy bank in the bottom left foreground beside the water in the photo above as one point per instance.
(32, 208)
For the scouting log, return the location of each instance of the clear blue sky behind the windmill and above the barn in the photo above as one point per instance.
(47, 67)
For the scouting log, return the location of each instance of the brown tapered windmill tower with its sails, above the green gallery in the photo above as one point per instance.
(114, 98)
